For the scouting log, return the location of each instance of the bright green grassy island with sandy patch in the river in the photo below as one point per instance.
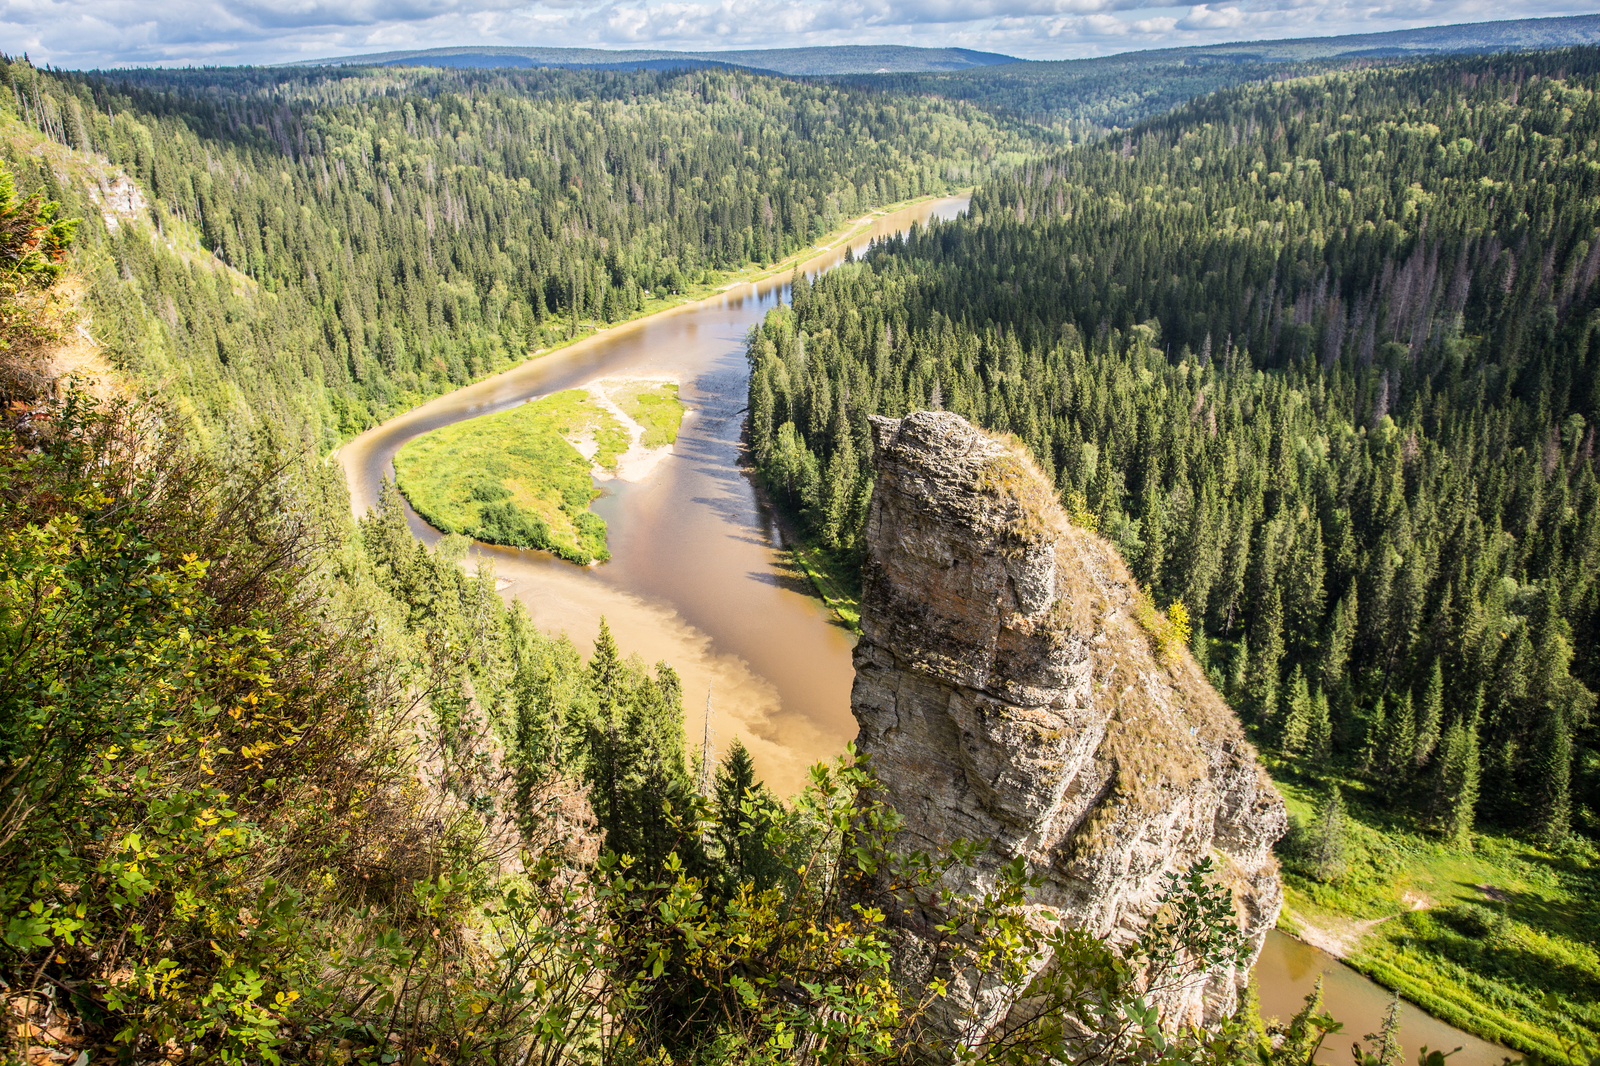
(522, 478)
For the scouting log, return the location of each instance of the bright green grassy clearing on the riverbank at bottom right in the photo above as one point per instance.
(1502, 942)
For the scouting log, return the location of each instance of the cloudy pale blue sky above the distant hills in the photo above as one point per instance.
(82, 34)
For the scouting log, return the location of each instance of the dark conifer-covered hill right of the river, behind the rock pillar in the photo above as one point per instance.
(1322, 359)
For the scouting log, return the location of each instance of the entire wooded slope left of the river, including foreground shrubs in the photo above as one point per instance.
(278, 787)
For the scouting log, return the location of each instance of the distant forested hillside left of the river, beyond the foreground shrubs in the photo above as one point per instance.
(335, 247)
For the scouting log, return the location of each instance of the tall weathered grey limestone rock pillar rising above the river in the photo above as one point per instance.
(1006, 692)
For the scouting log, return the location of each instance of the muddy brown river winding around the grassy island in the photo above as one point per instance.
(698, 580)
